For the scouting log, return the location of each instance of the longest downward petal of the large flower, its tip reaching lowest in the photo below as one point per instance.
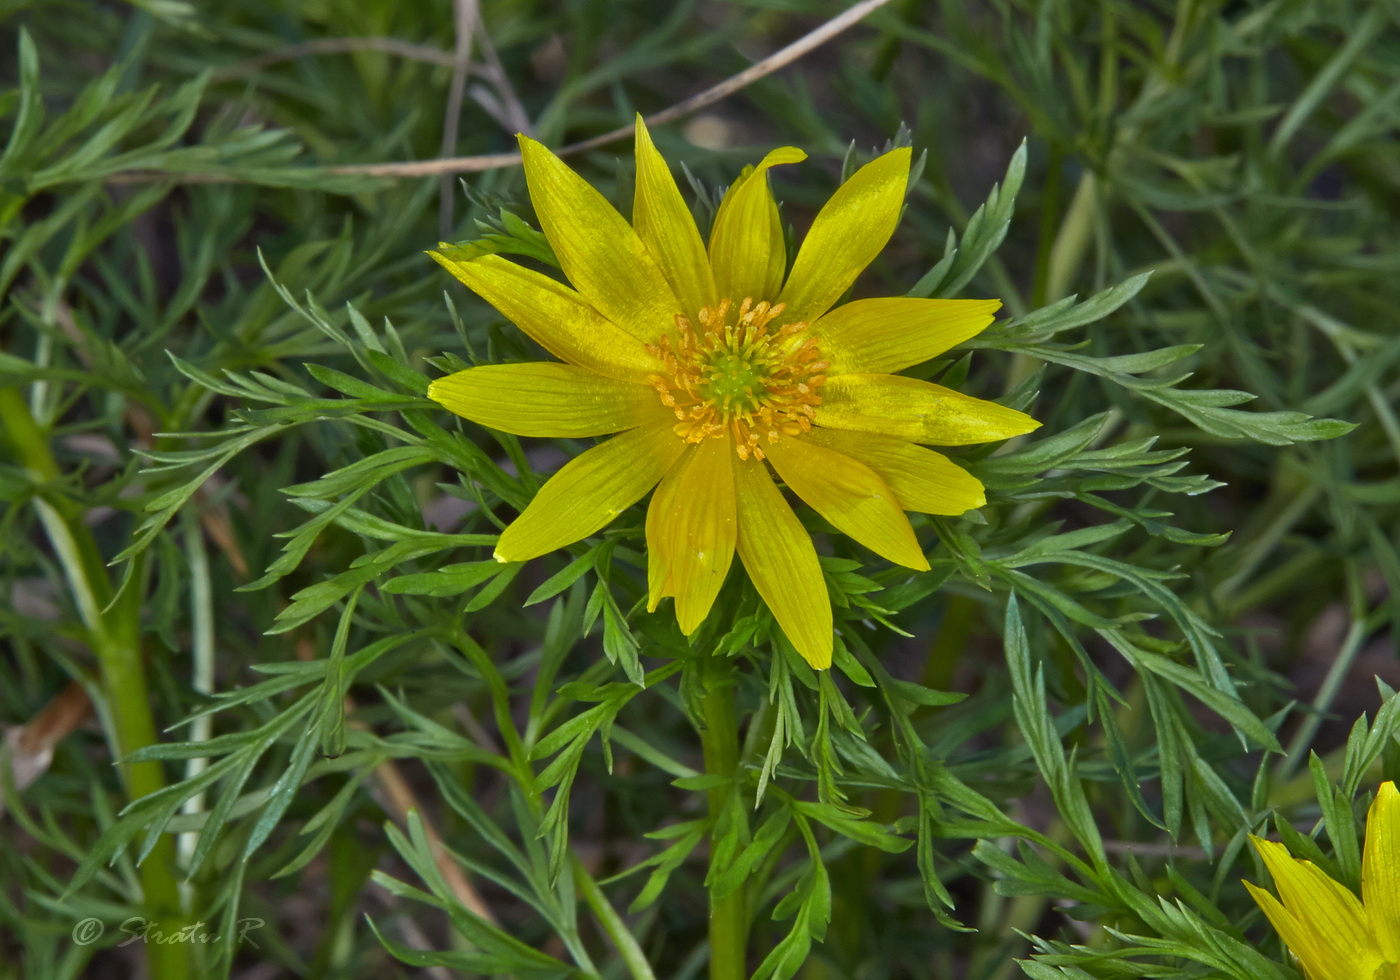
(782, 562)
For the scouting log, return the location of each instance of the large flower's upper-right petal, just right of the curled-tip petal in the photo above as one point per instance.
(848, 234)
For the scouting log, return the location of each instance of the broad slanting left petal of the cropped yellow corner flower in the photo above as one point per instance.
(1328, 911)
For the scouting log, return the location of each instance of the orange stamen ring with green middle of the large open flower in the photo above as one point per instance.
(740, 377)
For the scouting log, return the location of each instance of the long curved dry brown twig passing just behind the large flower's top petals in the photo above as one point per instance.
(730, 86)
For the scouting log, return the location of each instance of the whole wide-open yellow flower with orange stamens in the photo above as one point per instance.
(712, 367)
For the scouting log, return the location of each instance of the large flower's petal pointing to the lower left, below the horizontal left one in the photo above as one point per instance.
(591, 491)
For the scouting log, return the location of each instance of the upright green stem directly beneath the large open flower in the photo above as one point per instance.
(720, 740)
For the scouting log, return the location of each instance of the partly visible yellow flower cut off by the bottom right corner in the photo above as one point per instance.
(1332, 933)
